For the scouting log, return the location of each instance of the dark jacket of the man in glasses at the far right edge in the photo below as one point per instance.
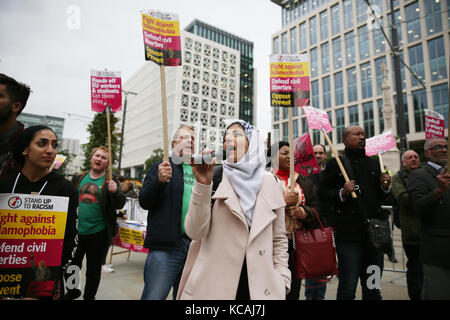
(434, 215)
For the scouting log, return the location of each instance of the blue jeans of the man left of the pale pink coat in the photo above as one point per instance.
(162, 271)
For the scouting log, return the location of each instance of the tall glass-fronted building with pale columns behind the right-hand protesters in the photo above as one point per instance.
(347, 50)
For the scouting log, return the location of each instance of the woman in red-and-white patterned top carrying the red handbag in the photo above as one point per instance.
(299, 203)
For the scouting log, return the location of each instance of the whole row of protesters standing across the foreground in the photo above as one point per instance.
(233, 227)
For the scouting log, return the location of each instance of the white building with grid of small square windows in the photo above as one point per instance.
(202, 92)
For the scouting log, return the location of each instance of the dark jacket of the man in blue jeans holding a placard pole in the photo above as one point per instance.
(164, 203)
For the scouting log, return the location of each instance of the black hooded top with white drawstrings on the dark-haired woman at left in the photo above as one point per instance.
(56, 186)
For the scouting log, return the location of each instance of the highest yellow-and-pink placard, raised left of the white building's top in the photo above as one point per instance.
(162, 41)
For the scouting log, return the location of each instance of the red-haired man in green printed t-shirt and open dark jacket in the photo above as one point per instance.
(99, 198)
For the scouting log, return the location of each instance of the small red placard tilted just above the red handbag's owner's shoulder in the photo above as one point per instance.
(305, 161)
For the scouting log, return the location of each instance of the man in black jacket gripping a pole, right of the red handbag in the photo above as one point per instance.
(350, 215)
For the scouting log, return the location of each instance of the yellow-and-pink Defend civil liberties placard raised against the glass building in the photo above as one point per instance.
(289, 80)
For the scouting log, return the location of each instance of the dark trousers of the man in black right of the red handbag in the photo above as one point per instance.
(353, 261)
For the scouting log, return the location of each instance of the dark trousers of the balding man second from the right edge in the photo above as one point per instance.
(414, 271)
